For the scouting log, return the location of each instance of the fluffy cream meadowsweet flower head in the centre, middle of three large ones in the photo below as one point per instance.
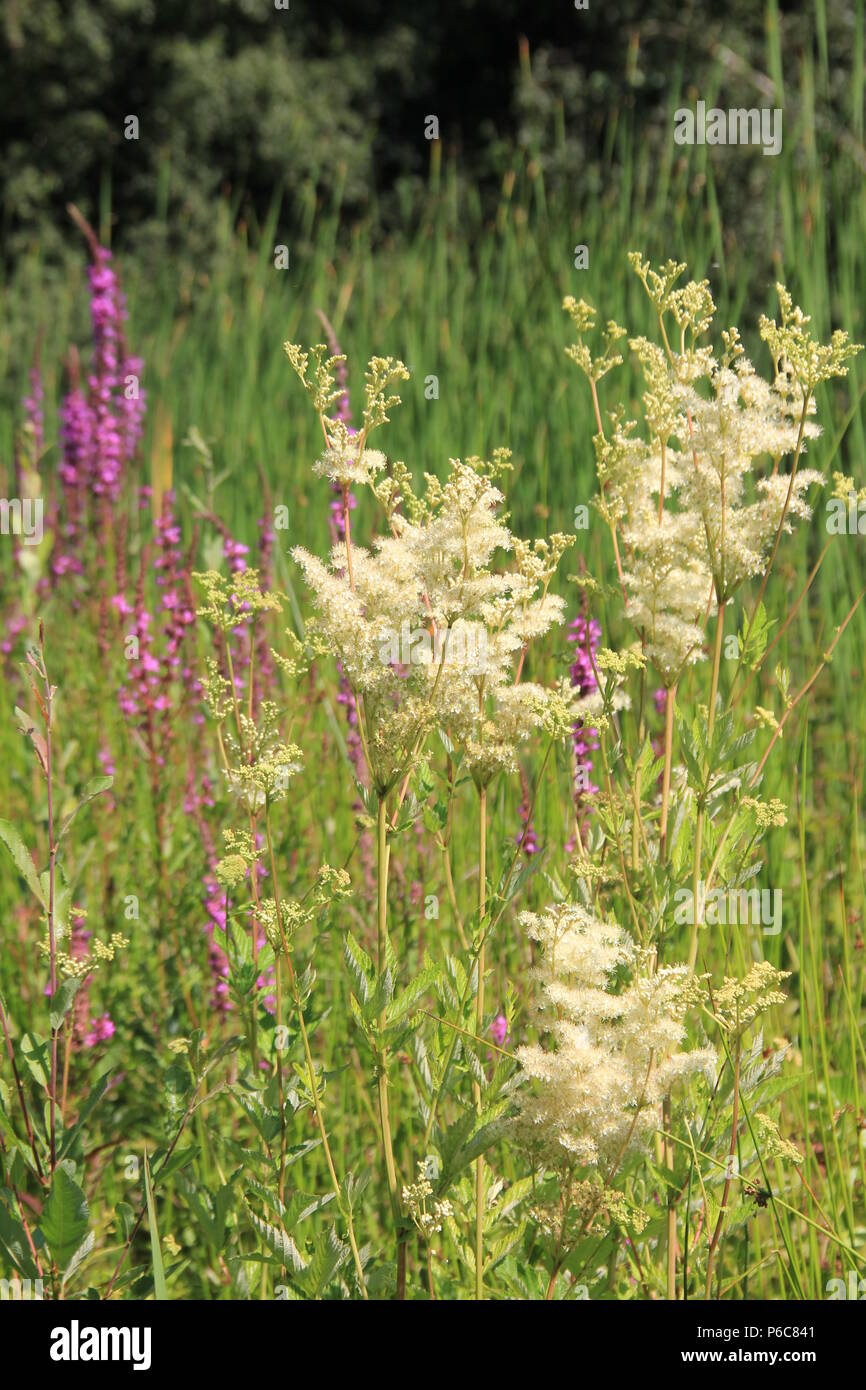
(429, 625)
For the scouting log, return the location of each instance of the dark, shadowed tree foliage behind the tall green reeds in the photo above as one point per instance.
(243, 98)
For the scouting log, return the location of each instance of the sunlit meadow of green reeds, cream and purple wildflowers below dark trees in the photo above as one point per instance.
(432, 861)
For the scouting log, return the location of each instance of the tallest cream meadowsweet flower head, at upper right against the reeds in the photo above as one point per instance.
(697, 489)
